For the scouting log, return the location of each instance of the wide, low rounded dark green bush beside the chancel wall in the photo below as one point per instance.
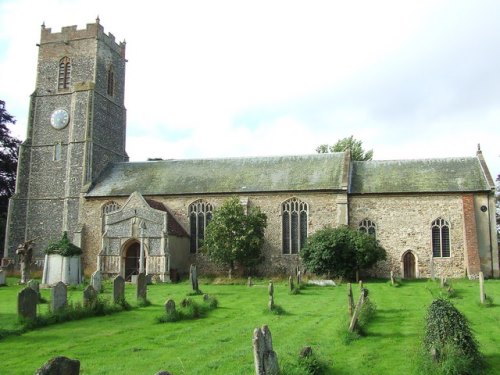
(341, 252)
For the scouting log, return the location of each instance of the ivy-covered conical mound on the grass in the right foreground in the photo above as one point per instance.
(449, 341)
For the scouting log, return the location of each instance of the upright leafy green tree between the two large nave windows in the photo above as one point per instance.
(233, 237)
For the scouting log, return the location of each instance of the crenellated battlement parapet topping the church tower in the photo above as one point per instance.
(72, 33)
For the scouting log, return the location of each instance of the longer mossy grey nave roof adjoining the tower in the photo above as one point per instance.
(225, 175)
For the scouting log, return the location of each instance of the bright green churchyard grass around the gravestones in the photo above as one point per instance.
(132, 342)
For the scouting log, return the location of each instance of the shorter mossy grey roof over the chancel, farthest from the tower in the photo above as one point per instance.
(418, 176)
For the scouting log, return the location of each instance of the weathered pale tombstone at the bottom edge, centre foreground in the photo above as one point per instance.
(265, 359)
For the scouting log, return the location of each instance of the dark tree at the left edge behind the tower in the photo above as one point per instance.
(9, 146)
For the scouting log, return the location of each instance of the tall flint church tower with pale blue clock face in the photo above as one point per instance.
(76, 126)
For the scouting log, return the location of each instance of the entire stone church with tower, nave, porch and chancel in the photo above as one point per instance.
(434, 217)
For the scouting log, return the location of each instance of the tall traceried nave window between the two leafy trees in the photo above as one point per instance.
(294, 215)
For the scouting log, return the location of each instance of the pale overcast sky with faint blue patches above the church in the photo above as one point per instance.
(410, 79)
